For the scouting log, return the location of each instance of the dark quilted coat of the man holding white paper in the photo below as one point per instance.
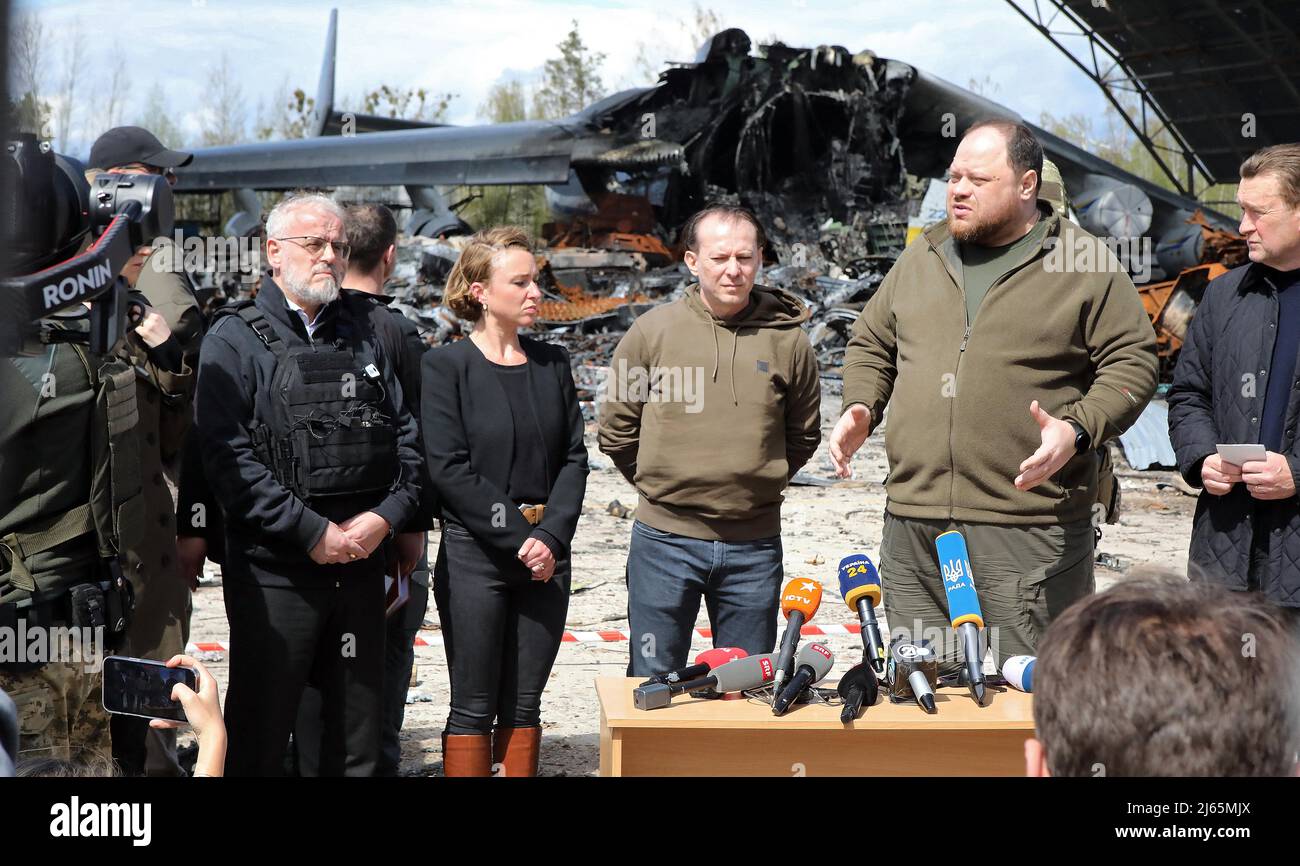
(1219, 397)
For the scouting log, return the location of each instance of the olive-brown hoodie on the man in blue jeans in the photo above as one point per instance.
(714, 461)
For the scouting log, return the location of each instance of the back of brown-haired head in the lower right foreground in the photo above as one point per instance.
(1164, 678)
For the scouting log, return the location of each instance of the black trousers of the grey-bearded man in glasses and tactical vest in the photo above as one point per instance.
(283, 636)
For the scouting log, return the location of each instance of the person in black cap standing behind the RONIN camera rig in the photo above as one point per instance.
(164, 357)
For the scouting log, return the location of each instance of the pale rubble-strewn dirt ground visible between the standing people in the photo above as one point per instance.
(822, 525)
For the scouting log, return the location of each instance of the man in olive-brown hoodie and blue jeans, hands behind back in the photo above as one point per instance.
(712, 405)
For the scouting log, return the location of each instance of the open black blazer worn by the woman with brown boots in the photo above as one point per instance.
(470, 443)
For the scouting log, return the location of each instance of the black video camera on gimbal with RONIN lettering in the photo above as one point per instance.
(49, 215)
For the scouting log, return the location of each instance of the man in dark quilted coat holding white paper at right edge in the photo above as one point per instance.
(1238, 383)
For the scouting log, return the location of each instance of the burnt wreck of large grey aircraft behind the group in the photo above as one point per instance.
(831, 149)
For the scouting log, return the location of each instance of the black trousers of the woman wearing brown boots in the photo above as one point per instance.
(501, 629)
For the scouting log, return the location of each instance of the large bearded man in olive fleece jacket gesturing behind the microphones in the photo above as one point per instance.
(1009, 344)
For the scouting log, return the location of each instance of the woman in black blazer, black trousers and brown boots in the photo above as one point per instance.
(504, 444)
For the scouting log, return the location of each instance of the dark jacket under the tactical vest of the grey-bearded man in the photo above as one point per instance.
(267, 526)
